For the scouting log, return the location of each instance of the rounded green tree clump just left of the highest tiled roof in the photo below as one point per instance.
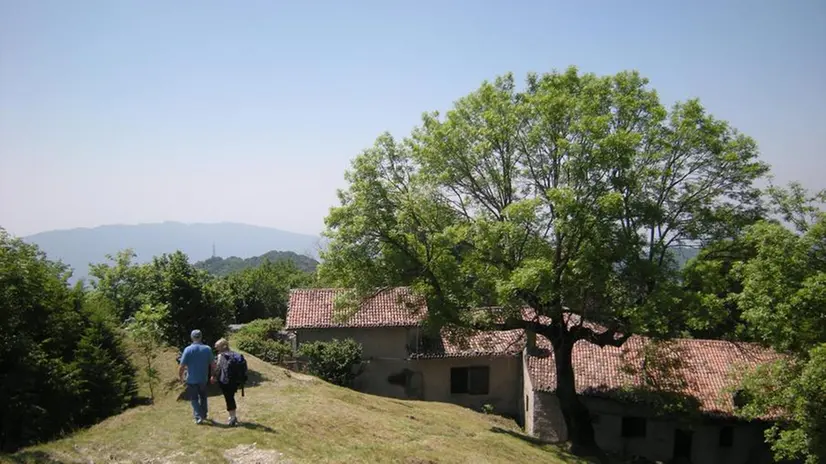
(264, 291)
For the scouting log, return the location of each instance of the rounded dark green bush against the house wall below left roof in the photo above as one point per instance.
(336, 361)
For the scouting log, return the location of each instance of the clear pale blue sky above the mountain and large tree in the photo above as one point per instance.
(145, 111)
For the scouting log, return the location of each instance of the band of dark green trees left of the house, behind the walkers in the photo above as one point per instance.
(65, 352)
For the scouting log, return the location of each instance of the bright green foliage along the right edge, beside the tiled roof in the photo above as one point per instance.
(782, 301)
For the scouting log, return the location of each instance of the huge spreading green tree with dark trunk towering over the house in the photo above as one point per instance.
(566, 196)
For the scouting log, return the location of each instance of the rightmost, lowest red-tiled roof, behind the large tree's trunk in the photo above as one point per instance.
(704, 370)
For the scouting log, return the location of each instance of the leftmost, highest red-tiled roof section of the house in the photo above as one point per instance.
(393, 307)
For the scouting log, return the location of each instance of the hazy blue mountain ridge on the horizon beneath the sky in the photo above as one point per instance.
(79, 247)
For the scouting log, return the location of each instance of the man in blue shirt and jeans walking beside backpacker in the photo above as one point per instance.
(197, 362)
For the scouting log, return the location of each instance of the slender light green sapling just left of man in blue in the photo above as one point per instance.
(147, 329)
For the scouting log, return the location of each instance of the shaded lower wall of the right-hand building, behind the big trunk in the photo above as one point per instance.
(658, 443)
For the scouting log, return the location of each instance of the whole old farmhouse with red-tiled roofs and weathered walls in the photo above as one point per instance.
(514, 372)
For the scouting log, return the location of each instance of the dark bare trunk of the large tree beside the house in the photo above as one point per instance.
(576, 415)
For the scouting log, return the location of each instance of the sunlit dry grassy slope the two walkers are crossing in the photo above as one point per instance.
(293, 418)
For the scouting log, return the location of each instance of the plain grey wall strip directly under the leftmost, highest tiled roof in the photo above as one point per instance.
(378, 342)
